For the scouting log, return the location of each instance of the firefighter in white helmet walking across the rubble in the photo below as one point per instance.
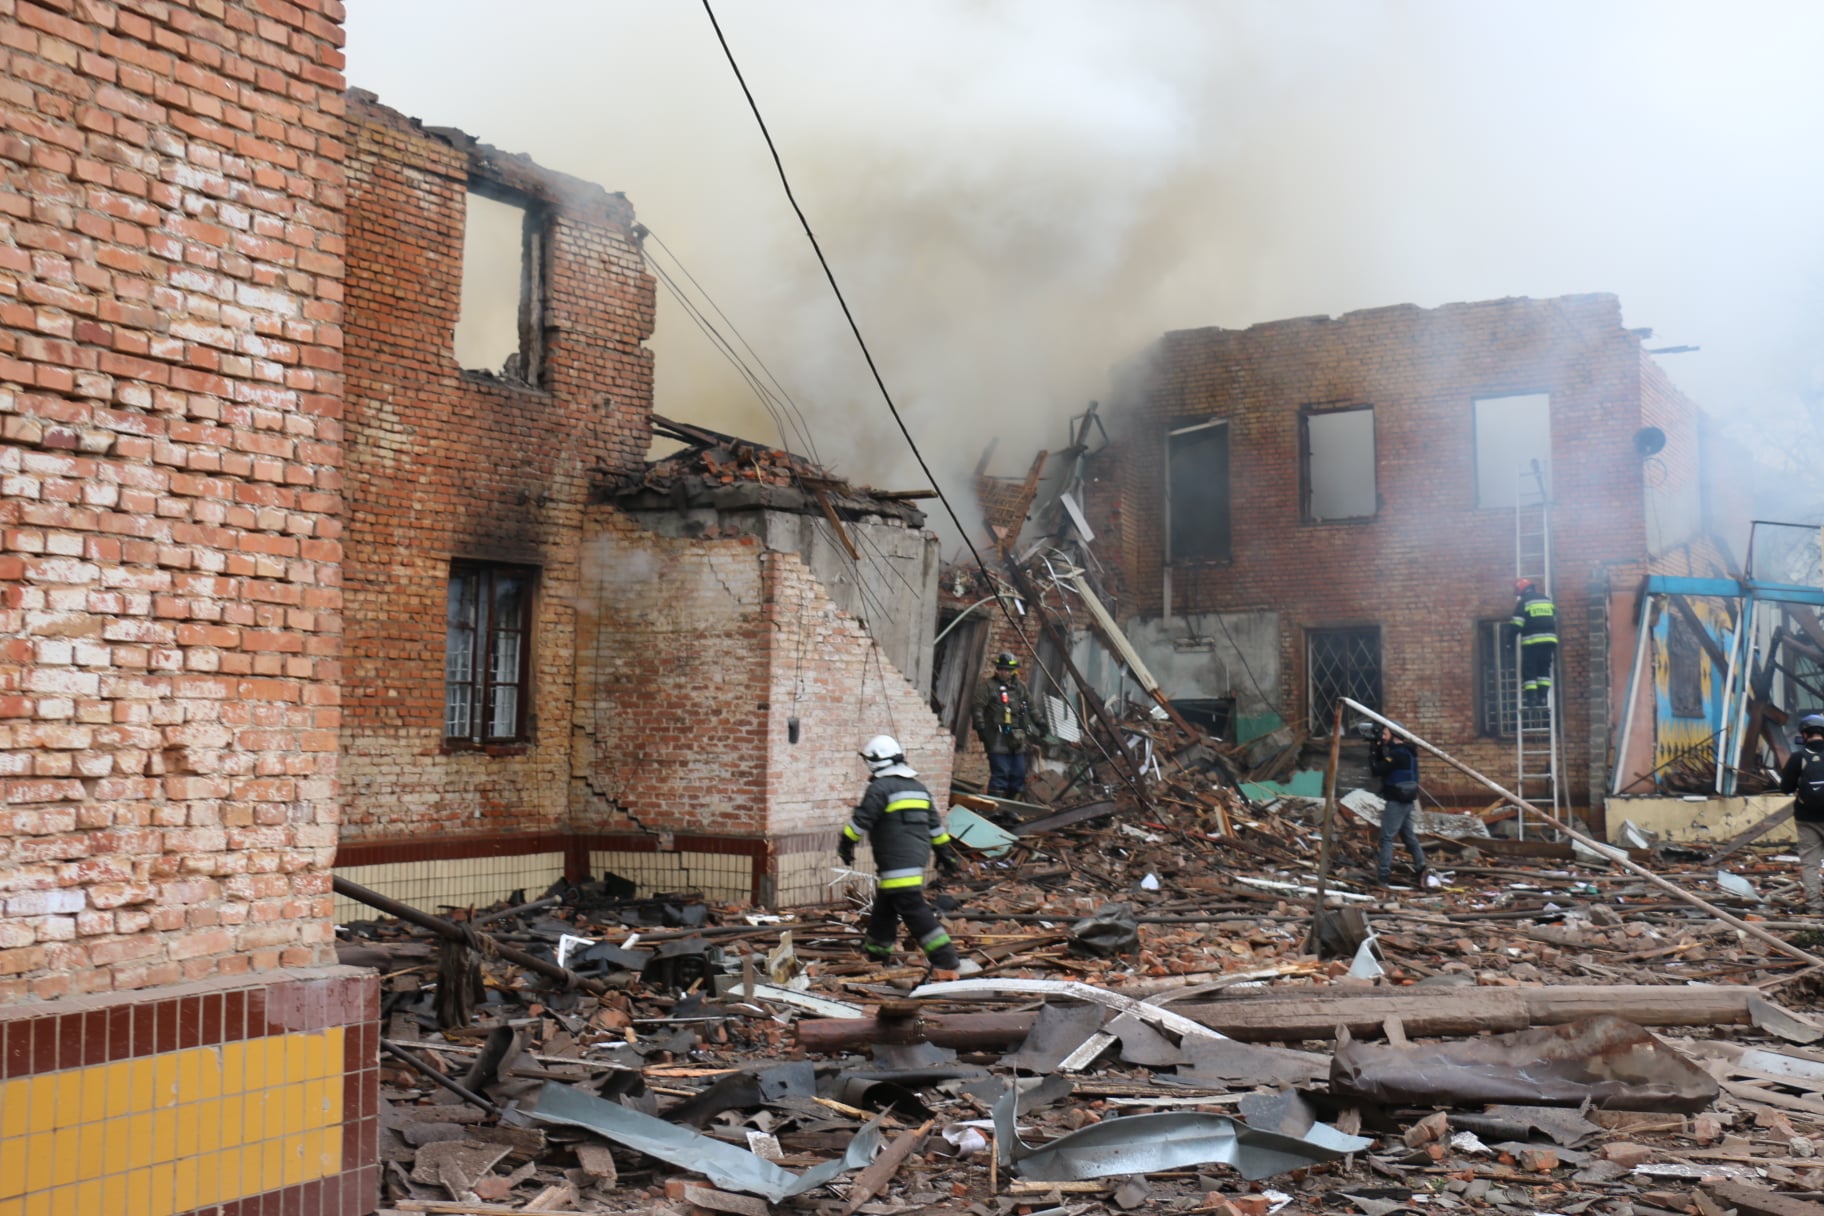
(904, 829)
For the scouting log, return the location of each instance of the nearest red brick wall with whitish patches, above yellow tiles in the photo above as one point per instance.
(171, 482)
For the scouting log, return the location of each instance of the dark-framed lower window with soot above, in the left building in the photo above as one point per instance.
(488, 654)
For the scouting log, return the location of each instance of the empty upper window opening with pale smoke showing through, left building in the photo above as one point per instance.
(501, 327)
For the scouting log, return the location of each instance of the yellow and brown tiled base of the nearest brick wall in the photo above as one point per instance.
(249, 1097)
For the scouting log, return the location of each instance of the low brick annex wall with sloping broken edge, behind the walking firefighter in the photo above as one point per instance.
(694, 655)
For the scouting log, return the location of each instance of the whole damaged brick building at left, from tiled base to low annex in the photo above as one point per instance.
(289, 590)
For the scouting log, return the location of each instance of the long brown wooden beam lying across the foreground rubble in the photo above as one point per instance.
(1296, 1015)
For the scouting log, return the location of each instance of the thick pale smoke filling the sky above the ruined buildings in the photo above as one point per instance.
(1021, 194)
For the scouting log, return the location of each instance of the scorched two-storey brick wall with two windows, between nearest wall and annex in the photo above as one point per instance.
(453, 466)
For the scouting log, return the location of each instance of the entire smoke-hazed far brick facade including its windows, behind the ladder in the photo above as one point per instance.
(1232, 451)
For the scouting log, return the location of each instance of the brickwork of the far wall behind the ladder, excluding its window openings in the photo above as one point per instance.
(1431, 564)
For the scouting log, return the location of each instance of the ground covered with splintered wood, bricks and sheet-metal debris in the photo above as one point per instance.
(1141, 1027)
